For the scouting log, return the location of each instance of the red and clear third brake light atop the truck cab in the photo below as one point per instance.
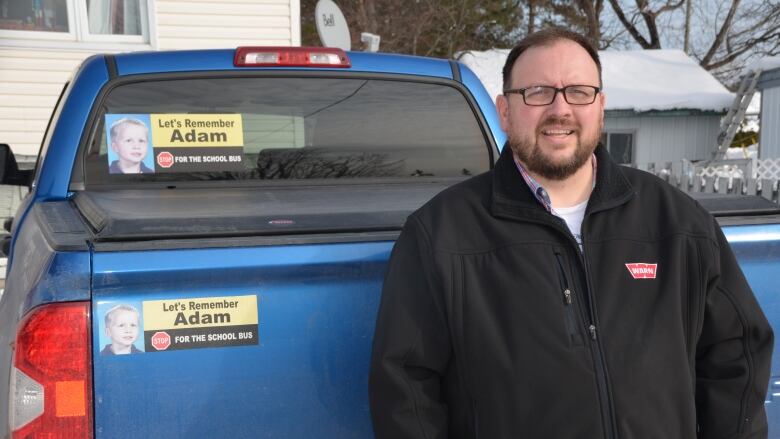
(291, 57)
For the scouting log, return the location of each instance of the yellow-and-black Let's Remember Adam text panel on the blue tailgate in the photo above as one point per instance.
(204, 322)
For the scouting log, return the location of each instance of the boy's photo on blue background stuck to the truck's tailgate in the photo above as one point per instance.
(119, 328)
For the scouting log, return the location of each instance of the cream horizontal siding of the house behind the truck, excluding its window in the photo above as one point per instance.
(31, 78)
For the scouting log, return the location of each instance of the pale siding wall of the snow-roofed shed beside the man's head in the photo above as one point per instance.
(668, 138)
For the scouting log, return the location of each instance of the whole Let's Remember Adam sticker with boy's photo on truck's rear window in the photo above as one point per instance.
(163, 143)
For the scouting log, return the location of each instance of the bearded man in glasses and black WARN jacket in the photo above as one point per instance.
(561, 295)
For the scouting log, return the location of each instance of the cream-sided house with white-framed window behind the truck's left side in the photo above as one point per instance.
(43, 41)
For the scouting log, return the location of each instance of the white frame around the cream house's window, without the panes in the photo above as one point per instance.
(78, 31)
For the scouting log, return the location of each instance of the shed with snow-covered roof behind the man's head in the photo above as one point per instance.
(661, 105)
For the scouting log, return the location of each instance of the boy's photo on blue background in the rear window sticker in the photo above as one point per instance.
(128, 138)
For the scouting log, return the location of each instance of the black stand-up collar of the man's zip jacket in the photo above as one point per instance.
(513, 197)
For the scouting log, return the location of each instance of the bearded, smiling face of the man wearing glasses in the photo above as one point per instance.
(553, 141)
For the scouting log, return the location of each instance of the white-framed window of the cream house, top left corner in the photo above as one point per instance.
(113, 21)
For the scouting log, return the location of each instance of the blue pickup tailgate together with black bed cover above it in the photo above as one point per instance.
(255, 310)
